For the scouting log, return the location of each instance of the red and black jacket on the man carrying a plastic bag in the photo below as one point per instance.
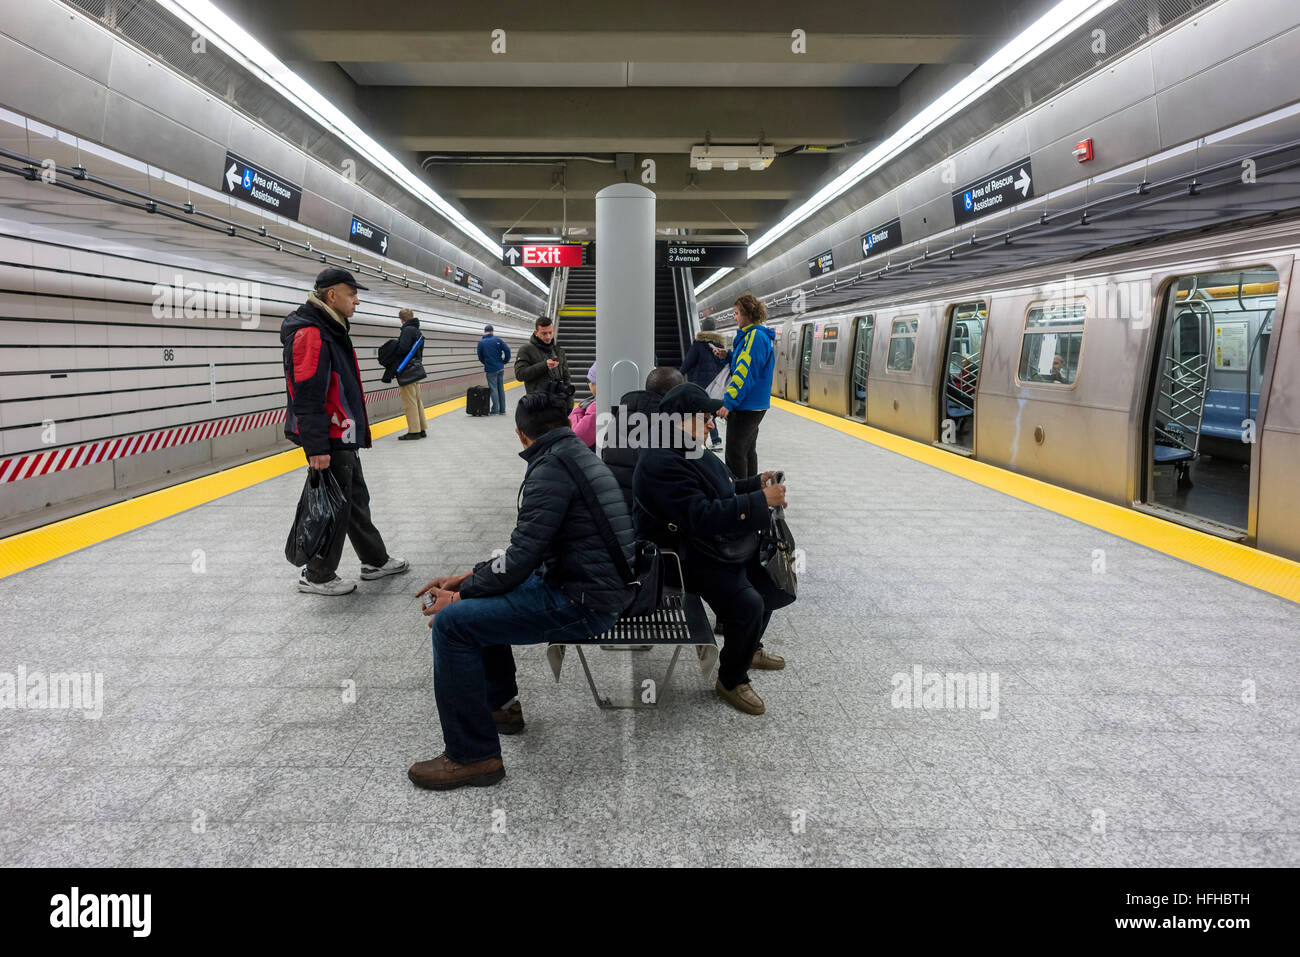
(327, 402)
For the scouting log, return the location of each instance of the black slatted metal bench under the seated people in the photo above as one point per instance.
(679, 622)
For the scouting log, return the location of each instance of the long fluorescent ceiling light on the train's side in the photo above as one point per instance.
(1039, 37)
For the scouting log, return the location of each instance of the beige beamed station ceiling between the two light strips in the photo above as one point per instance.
(521, 112)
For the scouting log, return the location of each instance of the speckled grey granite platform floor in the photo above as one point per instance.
(1146, 711)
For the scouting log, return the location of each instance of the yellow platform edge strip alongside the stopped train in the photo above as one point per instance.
(1262, 570)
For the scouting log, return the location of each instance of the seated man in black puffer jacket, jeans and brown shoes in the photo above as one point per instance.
(557, 582)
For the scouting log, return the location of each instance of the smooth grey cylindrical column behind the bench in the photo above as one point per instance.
(625, 291)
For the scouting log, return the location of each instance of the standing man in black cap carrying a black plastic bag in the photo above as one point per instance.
(327, 418)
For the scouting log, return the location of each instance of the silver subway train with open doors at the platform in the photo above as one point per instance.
(1165, 379)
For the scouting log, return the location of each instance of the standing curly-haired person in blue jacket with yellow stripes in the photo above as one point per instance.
(749, 391)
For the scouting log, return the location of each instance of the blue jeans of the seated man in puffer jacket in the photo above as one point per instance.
(474, 669)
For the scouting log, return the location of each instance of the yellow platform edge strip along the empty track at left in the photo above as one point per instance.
(40, 545)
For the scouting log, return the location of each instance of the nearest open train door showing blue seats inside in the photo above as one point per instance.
(1203, 399)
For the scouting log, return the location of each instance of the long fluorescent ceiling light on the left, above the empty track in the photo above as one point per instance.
(242, 47)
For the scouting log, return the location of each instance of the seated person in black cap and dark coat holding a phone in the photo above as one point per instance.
(691, 503)
